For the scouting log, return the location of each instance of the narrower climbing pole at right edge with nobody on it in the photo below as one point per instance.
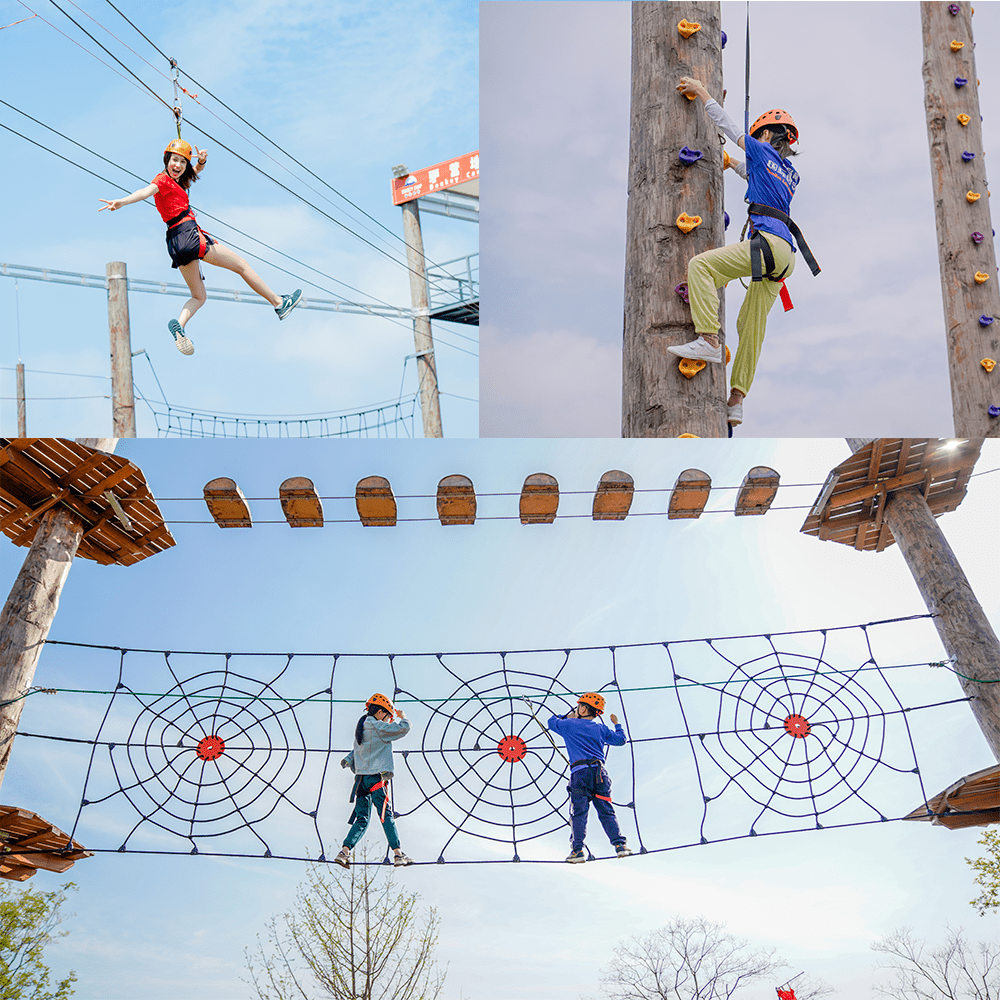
(966, 245)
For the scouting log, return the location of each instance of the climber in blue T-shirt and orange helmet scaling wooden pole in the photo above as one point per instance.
(771, 182)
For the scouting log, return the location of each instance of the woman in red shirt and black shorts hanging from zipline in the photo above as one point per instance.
(188, 243)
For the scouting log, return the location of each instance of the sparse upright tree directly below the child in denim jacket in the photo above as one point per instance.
(353, 935)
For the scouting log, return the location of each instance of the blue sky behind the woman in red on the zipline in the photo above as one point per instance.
(350, 90)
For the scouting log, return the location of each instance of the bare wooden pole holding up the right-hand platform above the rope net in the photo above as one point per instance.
(963, 627)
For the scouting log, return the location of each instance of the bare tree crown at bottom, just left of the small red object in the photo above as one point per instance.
(690, 960)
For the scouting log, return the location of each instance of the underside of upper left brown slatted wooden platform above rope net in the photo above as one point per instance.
(39, 473)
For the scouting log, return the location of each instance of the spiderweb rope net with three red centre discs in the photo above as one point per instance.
(239, 754)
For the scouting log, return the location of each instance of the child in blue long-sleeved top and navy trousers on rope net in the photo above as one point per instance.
(585, 737)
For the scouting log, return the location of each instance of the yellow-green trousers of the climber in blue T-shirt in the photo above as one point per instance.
(709, 271)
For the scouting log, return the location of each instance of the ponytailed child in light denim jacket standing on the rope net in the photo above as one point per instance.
(371, 761)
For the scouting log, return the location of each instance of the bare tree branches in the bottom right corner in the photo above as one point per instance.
(954, 970)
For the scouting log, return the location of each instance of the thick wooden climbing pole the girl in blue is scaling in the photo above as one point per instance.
(657, 400)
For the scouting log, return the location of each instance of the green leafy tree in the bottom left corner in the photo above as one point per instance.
(28, 922)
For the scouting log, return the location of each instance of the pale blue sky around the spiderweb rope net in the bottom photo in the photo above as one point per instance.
(175, 926)
